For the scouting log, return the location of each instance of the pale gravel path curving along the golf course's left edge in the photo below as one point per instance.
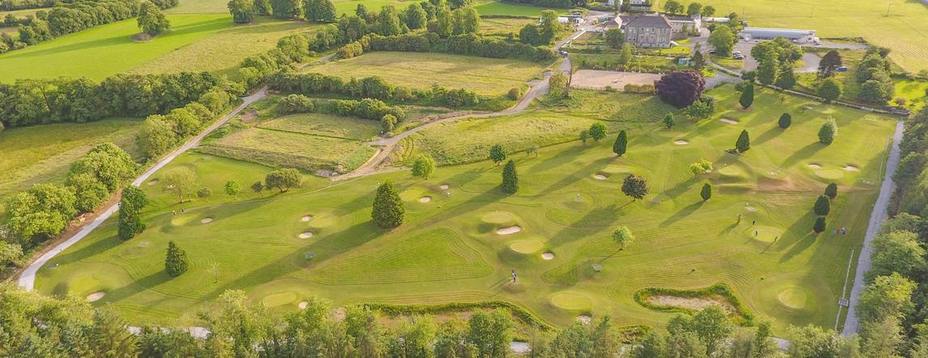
(27, 277)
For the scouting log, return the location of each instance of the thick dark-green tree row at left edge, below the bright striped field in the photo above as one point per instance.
(29, 102)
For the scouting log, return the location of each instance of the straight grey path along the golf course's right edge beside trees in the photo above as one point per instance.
(877, 216)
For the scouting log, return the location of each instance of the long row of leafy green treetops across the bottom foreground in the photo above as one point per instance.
(36, 325)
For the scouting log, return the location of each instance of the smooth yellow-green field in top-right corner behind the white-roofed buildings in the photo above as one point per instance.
(897, 24)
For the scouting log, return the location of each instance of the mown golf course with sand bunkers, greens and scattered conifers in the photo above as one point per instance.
(459, 246)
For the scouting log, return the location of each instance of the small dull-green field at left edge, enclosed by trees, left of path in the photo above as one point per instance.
(44, 153)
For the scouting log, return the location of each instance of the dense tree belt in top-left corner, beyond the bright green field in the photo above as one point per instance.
(73, 17)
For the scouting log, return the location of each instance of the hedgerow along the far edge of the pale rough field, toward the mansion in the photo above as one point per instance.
(465, 44)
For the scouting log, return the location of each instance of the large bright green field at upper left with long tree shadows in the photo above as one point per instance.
(197, 42)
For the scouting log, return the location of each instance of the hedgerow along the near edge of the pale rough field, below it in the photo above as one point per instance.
(370, 87)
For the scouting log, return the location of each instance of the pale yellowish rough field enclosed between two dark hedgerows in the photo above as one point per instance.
(486, 76)
